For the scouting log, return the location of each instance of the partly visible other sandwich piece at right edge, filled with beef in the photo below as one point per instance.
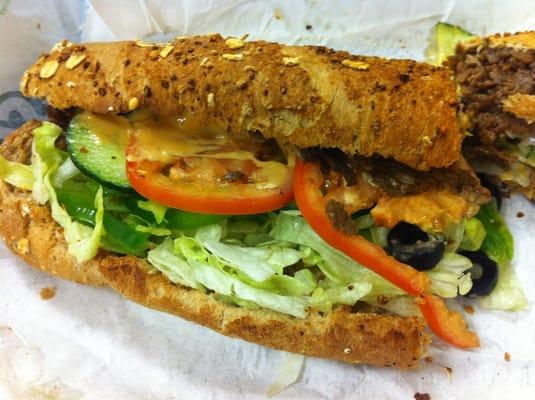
(495, 76)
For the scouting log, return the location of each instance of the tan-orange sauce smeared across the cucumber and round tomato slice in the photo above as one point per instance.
(168, 139)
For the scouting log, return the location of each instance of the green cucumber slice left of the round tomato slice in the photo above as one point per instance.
(97, 146)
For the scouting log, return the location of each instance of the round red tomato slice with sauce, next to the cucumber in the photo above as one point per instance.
(211, 185)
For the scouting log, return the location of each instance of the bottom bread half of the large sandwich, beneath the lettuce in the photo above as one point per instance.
(29, 231)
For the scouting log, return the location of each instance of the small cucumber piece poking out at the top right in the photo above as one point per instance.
(442, 42)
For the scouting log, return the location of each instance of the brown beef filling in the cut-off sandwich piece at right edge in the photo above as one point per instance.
(493, 81)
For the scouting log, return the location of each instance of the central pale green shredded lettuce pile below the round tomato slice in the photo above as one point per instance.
(253, 276)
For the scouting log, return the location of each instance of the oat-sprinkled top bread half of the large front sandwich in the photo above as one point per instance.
(302, 95)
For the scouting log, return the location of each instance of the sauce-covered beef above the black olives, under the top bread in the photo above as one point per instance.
(395, 192)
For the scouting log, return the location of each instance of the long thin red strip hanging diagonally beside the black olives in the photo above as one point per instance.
(448, 325)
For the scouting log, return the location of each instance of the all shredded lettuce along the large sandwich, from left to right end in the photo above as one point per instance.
(274, 260)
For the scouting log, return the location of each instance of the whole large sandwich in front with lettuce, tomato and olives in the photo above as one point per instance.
(297, 197)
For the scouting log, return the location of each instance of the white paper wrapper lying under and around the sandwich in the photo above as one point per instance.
(89, 343)
